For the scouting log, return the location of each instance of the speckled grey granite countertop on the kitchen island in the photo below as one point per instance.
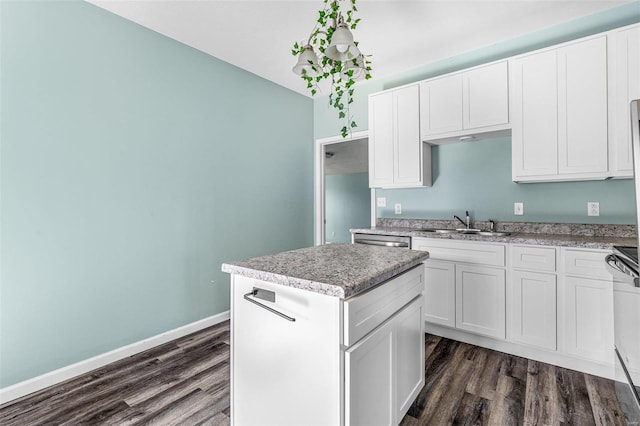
(340, 270)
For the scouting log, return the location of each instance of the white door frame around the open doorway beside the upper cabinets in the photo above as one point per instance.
(319, 217)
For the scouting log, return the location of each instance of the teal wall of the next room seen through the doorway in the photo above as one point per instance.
(347, 200)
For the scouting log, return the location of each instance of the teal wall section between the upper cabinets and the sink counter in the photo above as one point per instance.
(476, 176)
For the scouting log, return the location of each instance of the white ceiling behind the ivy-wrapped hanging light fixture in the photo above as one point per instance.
(400, 35)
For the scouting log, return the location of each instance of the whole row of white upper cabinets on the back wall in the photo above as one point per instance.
(566, 106)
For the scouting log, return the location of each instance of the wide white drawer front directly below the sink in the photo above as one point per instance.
(462, 251)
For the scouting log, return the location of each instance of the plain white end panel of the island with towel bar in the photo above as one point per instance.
(265, 382)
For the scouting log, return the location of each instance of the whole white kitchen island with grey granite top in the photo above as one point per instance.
(330, 334)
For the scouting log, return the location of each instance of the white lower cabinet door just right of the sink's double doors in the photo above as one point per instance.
(533, 304)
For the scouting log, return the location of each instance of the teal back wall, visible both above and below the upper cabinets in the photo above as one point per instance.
(477, 176)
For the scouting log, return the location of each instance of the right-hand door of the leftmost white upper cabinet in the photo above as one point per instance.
(408, 148)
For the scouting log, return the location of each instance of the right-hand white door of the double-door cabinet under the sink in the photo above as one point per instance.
(480, 300)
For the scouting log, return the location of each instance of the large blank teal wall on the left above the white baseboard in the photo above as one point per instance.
(131, 167)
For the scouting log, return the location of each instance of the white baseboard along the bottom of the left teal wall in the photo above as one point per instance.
(35, 384)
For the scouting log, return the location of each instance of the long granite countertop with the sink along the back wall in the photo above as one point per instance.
(531, 238)
